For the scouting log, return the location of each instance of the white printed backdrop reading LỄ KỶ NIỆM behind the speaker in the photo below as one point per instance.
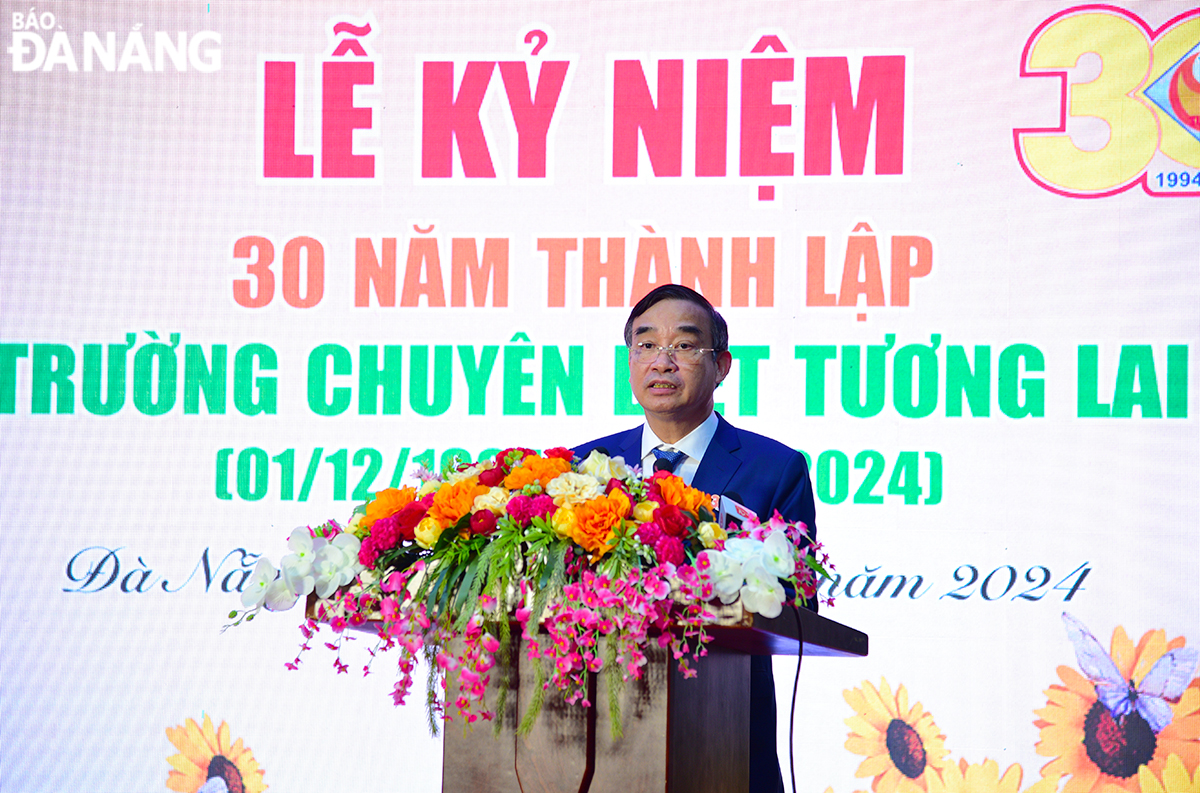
(261, 260)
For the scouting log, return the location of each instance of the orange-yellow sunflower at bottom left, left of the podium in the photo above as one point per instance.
(207, 754)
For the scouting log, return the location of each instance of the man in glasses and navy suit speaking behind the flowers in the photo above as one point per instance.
(679, 355)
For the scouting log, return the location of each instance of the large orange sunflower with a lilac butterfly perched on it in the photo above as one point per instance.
(1100, 752)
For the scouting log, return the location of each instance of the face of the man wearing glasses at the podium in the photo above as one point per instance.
(673, 392)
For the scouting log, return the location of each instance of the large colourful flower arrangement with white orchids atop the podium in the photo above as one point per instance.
(590, 561)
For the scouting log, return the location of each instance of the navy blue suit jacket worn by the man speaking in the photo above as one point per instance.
(765, 476)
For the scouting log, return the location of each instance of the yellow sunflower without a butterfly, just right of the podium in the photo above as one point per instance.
(902, 744)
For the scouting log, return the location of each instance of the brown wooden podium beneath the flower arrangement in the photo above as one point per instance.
(680, 736)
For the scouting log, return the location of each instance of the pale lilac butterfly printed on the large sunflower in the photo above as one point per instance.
(1165, 682)
